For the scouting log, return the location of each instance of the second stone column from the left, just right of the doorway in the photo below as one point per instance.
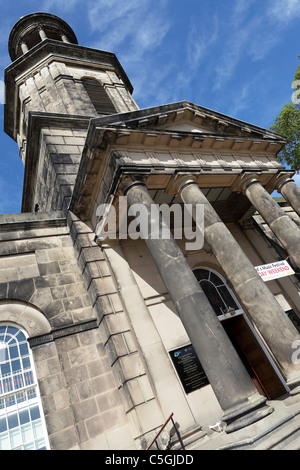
(265, 312)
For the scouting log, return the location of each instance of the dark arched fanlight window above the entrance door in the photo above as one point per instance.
(217, 291)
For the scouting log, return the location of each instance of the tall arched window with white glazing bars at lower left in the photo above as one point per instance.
(22, 425)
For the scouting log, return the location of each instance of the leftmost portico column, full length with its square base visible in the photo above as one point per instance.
(230, 381)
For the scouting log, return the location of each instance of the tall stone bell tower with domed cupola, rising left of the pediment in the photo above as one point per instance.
(53, 88)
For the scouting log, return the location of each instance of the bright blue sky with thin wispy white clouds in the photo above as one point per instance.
(237, 57)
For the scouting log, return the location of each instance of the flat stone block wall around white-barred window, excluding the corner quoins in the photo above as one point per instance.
(39, 270)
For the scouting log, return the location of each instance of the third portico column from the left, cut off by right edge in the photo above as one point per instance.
(283, 227)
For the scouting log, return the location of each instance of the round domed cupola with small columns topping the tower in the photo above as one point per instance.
(31, 29)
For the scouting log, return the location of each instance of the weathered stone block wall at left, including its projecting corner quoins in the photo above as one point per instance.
(94, 384)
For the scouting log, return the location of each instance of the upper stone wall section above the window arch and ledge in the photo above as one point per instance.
(38, 266)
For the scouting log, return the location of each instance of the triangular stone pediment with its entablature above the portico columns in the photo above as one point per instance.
(160, 141)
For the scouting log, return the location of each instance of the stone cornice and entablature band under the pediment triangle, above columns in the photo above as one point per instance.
(103, 144)
